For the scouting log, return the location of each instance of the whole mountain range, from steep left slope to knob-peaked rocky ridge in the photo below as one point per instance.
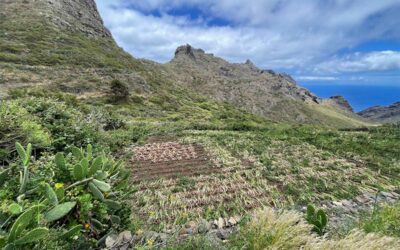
(64, 44)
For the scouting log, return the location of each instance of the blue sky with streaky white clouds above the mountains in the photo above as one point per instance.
(341, 43)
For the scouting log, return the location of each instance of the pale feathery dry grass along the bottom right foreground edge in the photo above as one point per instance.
(288, 230)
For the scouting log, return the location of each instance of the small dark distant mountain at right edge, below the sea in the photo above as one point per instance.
(382, 114)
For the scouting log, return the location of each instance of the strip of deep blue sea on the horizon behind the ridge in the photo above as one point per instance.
(359, 96)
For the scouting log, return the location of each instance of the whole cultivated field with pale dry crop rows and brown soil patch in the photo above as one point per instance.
(244, 171)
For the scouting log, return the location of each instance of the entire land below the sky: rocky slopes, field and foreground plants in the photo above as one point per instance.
(100, 150)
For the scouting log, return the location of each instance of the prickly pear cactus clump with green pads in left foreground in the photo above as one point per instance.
(79, 196)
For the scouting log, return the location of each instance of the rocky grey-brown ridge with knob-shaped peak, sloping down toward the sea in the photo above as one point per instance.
(264, 92)
